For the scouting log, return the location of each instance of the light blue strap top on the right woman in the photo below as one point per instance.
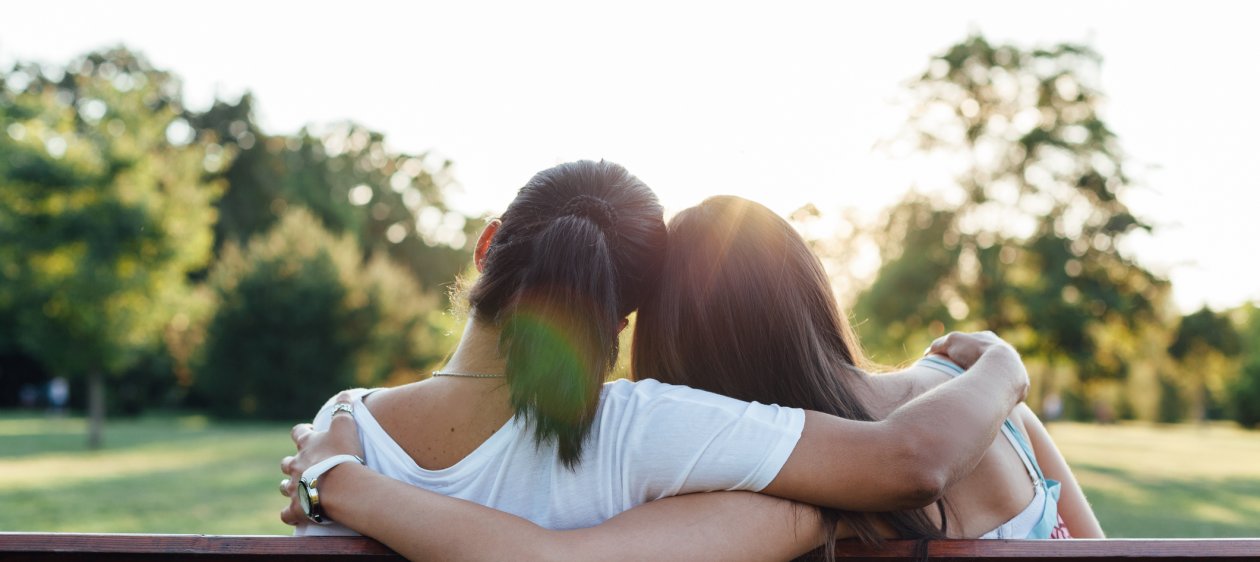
(1041, 516)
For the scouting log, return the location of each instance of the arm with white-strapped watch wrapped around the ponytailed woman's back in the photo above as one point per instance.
(423, 525)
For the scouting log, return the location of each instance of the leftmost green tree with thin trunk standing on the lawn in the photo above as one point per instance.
(104, 212)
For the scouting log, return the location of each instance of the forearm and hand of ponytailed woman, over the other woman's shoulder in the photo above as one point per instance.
(953, 425)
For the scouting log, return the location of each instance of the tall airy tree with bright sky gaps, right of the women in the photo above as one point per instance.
(1026, 244)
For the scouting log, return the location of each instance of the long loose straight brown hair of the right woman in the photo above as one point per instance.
(745, 309)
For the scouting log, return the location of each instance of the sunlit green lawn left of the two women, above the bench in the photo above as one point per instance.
(154, 476)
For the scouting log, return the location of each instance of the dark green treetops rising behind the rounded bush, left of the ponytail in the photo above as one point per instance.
(345, 175)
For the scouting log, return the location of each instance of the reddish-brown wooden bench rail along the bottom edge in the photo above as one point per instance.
(206, 548)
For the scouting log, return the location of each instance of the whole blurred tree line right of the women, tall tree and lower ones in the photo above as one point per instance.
(1028, 244)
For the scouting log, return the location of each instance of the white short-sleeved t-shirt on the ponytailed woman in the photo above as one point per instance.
(650, 440)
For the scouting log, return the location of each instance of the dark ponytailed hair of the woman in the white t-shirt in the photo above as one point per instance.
(579, 249)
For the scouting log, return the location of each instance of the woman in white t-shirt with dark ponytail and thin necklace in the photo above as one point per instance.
(518, 419)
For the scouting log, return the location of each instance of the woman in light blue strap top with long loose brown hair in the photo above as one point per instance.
(748, 312)
